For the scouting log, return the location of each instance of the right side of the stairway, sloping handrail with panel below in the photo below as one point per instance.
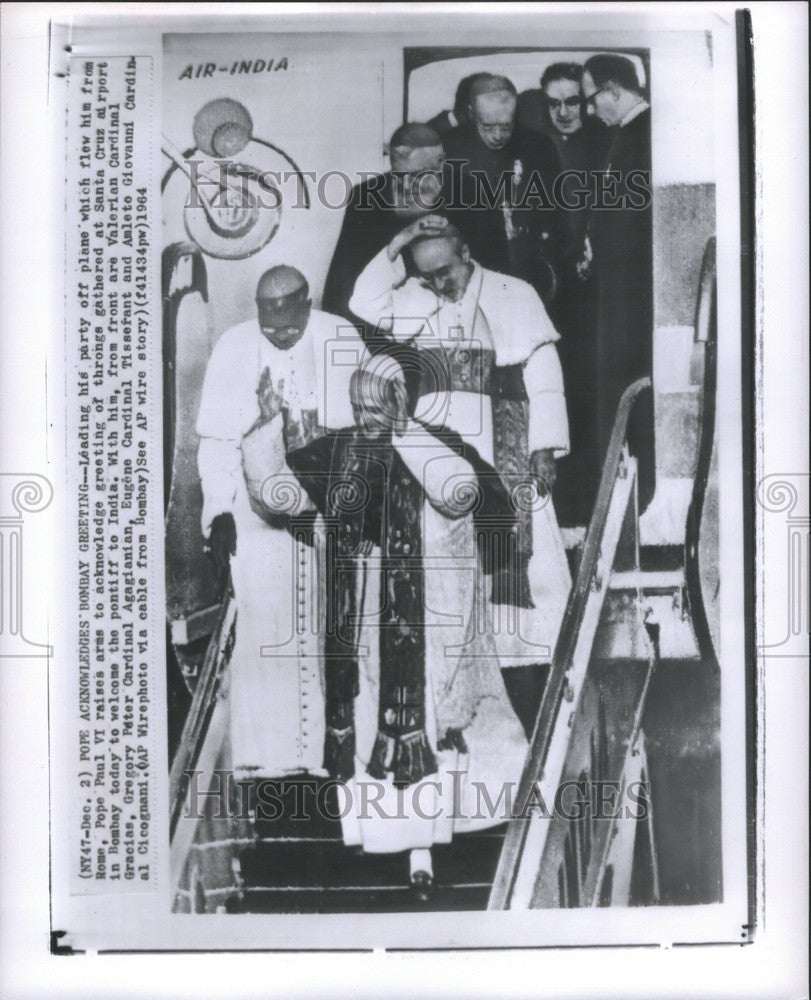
(589, 724)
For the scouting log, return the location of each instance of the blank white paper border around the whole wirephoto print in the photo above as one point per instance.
(780, 63)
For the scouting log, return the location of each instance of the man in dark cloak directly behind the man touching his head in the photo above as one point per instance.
(380, 207)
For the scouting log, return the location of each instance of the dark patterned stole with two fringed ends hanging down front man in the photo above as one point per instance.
(367, 478)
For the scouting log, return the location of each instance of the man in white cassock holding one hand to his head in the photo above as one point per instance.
(489, 370)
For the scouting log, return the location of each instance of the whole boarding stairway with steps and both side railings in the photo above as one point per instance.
(590, 733)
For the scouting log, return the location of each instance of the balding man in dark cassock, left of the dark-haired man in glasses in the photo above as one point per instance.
(499, 185)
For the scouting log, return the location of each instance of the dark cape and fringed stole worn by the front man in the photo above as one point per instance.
(366, 492)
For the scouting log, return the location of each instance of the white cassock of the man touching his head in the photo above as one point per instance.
(500, 321)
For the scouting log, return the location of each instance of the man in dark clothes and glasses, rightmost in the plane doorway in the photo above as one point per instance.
(620, 241)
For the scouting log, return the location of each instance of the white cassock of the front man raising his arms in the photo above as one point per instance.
(463, 685)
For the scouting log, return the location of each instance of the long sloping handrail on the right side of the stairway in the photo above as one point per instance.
(564, 651)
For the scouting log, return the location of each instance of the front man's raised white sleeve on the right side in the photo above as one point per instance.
(449, 481)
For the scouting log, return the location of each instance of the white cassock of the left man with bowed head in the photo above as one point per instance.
(275, 684)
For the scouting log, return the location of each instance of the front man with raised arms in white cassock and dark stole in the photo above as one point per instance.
(415, 703)
